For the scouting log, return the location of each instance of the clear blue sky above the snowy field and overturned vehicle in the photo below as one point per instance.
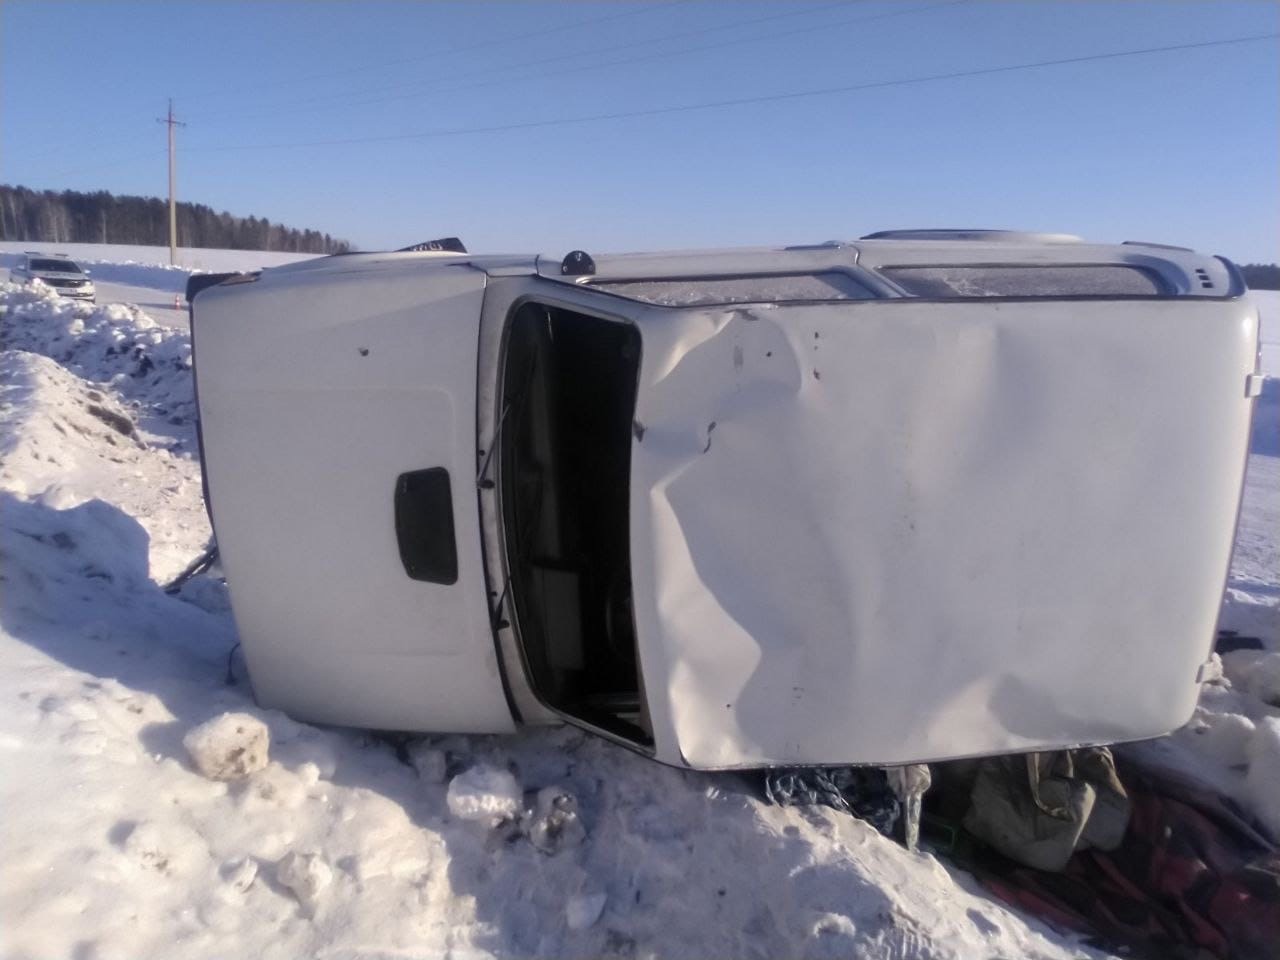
(1180, 148)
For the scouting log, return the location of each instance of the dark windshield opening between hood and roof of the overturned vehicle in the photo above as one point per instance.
(569, 391)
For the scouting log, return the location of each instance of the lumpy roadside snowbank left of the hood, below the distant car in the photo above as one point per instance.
(99, 403)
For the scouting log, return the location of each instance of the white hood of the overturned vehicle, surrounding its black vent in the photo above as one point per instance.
(318, 390)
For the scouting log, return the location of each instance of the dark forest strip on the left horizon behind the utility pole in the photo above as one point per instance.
(70, 217)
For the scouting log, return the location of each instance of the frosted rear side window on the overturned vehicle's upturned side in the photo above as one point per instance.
(1026, 281)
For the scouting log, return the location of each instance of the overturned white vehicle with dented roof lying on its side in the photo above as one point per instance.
(924, 496)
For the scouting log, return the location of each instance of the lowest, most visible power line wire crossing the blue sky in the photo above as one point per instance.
(744, 102)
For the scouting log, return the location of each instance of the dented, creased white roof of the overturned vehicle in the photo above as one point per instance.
(902, 532)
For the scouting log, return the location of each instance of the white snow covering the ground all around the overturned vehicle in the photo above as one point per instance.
(121, 836)
